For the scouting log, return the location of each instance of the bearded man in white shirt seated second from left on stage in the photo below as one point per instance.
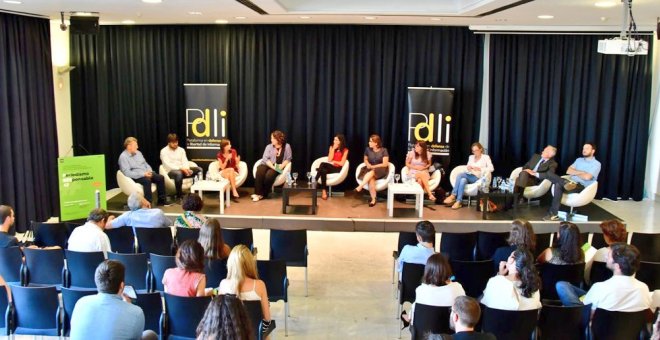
(176, 163)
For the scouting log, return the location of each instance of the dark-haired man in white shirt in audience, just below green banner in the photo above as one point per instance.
(90, 237)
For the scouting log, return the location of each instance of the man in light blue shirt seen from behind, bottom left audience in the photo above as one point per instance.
(108, 314)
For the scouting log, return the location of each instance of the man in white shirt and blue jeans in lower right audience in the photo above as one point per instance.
(621, 293)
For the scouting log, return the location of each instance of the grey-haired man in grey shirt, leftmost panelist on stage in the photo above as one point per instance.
(132, 164)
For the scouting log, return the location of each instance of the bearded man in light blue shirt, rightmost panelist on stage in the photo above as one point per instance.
(583, 172)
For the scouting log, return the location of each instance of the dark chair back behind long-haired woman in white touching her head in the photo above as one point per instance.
(510, 325)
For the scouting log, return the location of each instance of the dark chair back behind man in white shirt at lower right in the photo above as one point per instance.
(607, 325)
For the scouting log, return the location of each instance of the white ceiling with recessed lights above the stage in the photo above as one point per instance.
(573, 15)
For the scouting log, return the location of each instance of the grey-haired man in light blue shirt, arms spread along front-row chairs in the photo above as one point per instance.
(140, 215)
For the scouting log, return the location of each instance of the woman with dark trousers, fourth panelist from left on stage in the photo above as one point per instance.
(277, 156)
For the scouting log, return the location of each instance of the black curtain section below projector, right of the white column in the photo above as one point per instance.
(556, 89)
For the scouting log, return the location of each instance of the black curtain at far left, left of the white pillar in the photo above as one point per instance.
(28, 136)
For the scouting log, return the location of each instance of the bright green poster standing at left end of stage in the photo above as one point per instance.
(82, 183)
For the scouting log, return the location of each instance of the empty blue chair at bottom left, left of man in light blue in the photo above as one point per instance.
(36, 311)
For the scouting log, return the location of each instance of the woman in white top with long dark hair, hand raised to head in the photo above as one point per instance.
(516, 285)
